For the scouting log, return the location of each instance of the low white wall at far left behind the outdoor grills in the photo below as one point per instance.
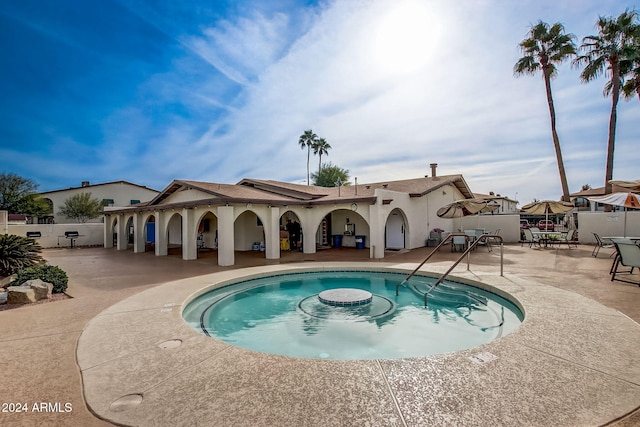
(52, 235)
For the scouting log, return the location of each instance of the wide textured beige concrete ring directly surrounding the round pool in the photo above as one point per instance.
(573, 361)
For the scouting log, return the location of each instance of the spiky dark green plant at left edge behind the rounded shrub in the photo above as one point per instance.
(17, 253)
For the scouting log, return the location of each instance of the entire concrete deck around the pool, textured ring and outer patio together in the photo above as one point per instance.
(573, 362)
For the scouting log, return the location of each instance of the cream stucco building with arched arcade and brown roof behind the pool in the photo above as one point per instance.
(190, 215)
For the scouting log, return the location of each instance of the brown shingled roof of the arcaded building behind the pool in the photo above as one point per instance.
(277, 193)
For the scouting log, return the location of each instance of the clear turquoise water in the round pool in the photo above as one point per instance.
(283, 315)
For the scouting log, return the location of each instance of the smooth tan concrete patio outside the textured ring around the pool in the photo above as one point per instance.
(39, 343)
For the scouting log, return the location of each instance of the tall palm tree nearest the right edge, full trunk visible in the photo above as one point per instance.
(610, 51)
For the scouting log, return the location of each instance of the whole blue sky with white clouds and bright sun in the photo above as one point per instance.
(151, 91)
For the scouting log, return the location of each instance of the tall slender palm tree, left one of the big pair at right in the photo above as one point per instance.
(545, 47)
